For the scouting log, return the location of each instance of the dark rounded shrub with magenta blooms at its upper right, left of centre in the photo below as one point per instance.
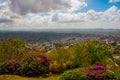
(35, 65)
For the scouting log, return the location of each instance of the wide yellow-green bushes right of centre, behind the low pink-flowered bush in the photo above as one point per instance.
(83, 54)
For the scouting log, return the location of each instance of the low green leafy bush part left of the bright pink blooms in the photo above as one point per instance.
(75, 74)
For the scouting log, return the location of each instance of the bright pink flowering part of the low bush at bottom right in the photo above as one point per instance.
(98, 72)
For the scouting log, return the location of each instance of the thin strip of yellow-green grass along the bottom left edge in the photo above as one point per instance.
(15, 77)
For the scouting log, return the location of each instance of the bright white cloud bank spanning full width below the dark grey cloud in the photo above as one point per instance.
(57, 19)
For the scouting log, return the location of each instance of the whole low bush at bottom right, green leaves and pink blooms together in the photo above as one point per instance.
(95, 72)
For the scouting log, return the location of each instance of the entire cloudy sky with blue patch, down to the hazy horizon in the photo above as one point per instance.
(50, 14)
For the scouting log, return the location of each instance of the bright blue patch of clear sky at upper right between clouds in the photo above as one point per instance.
(98, 5)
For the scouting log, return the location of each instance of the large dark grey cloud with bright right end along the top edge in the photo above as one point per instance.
(38, 6)
